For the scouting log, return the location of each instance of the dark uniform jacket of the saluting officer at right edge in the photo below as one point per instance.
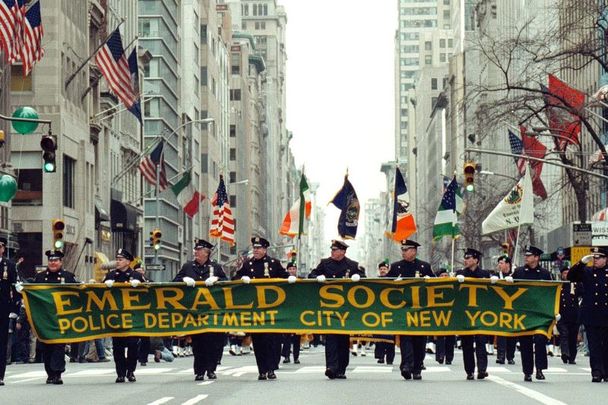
(594, 307)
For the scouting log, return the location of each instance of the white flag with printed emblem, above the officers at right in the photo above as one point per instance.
(516, 209)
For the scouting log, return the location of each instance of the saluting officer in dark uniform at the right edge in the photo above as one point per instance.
(592, 273)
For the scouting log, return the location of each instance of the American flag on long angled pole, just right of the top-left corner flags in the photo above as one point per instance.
(114, 66)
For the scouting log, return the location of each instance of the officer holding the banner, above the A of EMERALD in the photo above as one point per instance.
(205, 346)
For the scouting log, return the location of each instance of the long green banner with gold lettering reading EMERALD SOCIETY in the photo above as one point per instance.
(62, 313)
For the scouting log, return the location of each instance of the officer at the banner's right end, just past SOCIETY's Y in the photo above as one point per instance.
(533, 348)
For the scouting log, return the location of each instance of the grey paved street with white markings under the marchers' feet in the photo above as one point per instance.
(367, 383)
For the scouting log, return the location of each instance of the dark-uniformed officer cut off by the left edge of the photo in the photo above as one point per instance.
(8, 303)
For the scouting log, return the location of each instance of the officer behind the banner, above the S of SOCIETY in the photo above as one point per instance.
(337, 266)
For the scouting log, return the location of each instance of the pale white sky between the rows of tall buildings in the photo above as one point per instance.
(340, 95)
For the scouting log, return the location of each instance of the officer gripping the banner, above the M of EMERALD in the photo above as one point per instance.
(124, 274)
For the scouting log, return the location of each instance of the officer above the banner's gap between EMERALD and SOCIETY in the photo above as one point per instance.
(266, 346)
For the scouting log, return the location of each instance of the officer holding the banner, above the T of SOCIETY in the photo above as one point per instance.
(469, 353)
